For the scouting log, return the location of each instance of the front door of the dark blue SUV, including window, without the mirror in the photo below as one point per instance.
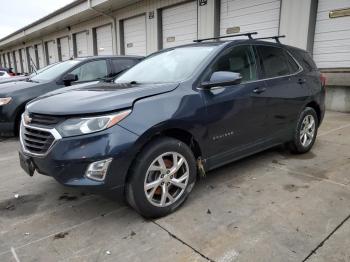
(236, 114)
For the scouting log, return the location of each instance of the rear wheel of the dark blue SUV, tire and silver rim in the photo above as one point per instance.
(305, 132)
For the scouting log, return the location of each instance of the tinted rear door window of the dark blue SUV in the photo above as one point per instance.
(273, 61)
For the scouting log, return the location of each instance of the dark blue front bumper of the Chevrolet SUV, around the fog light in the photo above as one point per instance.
(69, 158)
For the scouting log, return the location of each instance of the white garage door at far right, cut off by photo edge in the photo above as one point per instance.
(332, 36)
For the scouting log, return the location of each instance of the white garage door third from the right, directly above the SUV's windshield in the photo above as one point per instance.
(179, 24)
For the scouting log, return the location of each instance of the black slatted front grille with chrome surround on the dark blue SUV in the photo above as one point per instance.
(36, 141)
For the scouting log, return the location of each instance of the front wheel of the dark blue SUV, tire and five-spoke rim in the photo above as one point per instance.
(161, 177)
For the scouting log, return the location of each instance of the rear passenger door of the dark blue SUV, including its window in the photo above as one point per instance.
(285, 91)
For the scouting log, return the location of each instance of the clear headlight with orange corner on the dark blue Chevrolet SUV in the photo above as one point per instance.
(87, 125)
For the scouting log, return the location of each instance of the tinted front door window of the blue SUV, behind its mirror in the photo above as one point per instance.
(239, 59)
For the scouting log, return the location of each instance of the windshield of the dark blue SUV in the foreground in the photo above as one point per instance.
(174, 65)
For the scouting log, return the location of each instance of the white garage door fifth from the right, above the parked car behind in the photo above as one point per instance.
(104, 40)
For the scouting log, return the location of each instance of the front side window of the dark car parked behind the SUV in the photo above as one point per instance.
(91, 71)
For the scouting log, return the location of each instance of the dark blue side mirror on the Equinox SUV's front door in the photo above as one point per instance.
(222, 78)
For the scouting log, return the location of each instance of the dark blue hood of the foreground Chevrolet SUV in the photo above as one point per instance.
(95, 99)
